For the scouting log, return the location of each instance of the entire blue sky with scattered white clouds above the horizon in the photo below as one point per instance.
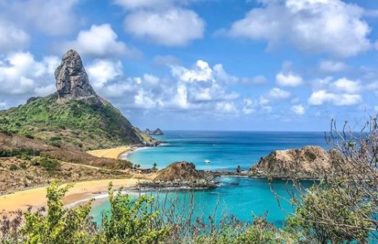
(259, 65)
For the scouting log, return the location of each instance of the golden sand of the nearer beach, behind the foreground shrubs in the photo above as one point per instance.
(36, 197)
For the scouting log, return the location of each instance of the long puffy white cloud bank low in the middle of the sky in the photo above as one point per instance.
(196, 88)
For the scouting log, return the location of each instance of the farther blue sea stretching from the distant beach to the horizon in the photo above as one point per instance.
(224, 150)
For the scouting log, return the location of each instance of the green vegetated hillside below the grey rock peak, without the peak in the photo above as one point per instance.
(75, 122)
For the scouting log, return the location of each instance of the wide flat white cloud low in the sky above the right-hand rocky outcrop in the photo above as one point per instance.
(322, 96)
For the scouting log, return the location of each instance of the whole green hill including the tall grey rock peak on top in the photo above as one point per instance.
(73, 116)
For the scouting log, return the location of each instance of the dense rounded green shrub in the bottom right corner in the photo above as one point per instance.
(332, 214)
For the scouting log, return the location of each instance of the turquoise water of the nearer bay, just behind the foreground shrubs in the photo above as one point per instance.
(242, 198)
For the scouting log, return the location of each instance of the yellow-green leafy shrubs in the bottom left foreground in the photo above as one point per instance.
(128, 222)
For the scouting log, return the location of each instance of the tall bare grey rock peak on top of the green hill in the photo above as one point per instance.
(72, 79)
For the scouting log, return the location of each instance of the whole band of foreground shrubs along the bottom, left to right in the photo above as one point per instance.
(136, 221)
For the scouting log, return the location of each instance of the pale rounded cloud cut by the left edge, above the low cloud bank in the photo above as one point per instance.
(11, 37)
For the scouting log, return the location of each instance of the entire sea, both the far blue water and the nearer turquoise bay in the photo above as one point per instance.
(243, 198)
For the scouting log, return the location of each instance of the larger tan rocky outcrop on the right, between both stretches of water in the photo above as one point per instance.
(309, 162)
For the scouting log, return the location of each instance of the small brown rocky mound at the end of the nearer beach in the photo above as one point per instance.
(182, 175)
